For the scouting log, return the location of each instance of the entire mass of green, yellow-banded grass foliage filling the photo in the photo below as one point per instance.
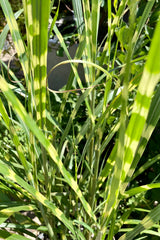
(73, 159)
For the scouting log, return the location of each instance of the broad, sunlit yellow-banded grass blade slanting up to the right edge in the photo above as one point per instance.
(149, 80)
